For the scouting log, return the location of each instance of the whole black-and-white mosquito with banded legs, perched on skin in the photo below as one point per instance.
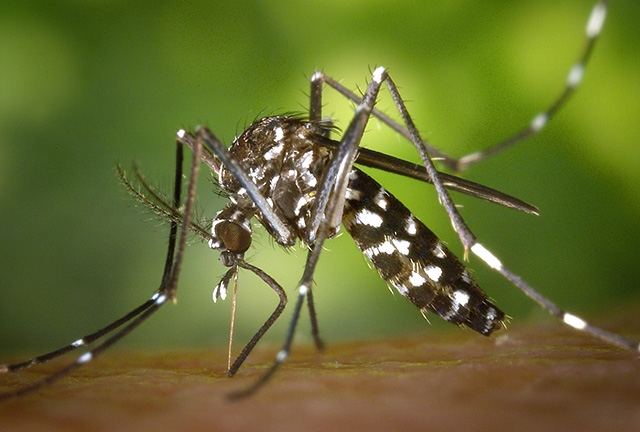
(301, 185)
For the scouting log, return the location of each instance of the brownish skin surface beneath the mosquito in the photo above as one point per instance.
(534, 377)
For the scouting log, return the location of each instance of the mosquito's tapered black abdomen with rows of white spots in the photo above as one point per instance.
(412, 259)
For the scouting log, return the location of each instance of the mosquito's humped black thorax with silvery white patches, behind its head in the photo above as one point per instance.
(282, 158)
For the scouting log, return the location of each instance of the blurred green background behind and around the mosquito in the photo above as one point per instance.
(87, 84)
